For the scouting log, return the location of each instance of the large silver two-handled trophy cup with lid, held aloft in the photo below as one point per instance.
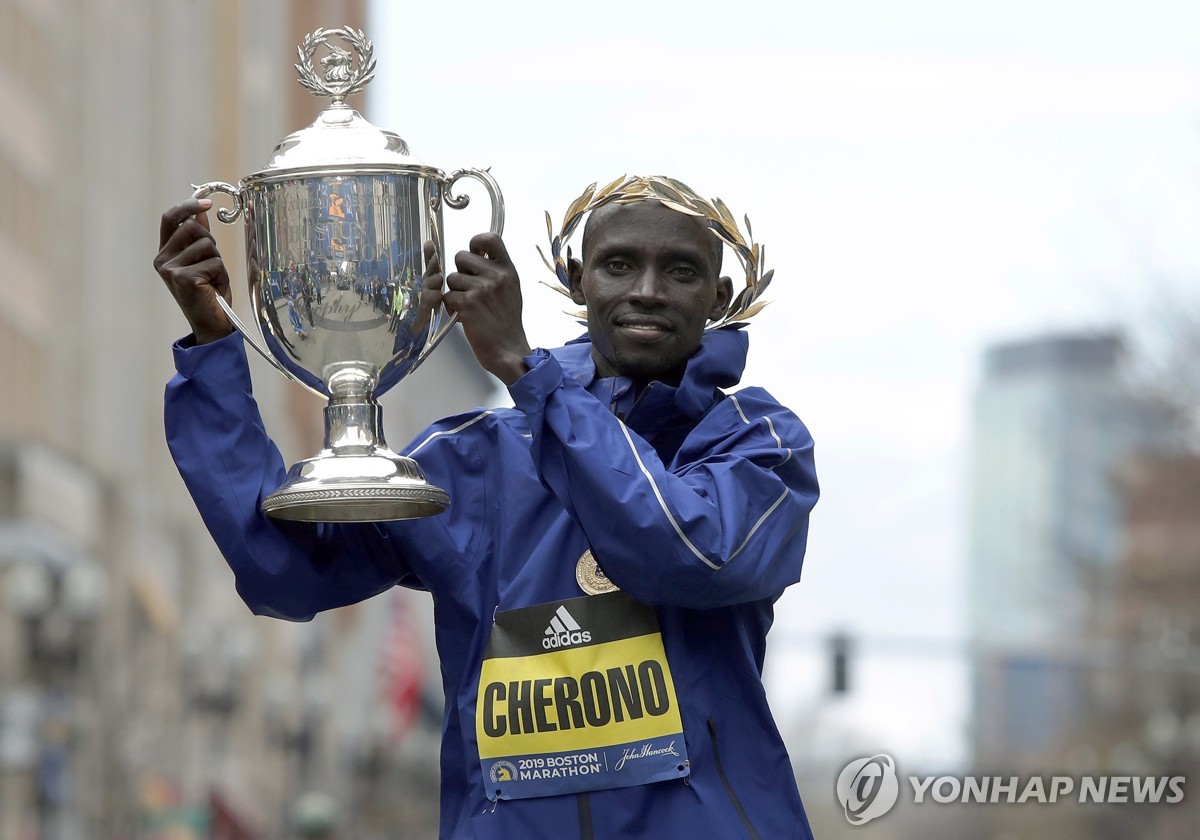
(335, 226)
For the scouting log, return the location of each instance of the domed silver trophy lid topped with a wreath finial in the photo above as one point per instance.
(340, 136)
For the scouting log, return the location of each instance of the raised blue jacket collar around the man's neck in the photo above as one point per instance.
(719, 363)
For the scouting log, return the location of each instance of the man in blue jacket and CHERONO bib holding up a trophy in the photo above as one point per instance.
(638, 710)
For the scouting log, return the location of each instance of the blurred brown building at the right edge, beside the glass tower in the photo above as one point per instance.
(1143, 710)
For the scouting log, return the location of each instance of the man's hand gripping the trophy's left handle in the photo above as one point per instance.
(191, 267)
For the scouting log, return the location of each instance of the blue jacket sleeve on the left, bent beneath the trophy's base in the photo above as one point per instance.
(229, 464)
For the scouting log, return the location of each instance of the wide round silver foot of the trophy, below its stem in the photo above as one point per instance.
(376, 488)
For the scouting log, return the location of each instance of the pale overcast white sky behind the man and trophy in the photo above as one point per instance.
(927, 177)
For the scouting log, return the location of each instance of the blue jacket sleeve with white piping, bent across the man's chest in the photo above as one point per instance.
(727, 523)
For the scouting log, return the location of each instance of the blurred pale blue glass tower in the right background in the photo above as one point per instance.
(1054, 417)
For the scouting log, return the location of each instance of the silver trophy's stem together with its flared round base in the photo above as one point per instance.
(356, 478)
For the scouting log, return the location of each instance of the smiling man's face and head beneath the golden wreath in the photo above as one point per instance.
(651, 283)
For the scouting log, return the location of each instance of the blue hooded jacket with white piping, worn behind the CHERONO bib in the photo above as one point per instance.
(695, 503)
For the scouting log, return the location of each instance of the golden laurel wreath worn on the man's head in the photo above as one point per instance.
(681, 199)
